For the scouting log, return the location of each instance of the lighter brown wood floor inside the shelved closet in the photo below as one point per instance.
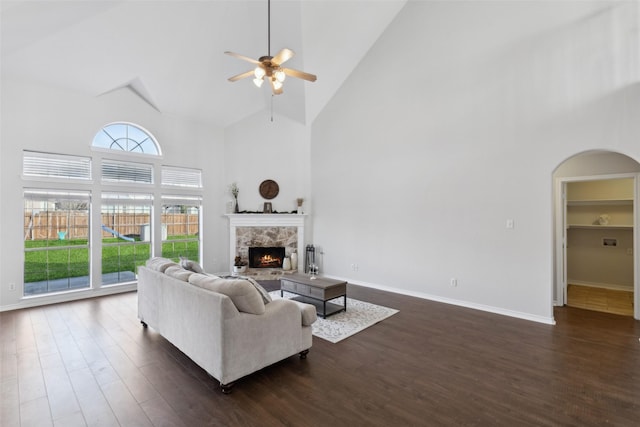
(600, 299)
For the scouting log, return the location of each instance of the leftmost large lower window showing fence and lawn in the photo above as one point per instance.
(56, 241)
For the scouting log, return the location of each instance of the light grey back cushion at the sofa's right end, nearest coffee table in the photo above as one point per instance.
(244, 295)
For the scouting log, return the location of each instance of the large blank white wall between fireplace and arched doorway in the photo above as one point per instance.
(453, 124)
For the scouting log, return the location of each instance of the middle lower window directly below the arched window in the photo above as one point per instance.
(126, 235)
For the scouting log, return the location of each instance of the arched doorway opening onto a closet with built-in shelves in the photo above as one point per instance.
(596, 232)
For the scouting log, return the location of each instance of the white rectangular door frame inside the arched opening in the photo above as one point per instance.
(561, 231)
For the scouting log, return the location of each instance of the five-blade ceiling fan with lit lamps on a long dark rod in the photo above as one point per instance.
(270, 67)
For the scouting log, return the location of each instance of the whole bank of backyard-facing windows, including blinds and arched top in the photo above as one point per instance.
(63, 224)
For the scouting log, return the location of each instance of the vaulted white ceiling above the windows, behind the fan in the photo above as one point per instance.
(171, 53)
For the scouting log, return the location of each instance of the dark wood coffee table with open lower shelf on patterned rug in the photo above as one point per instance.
(316, 291)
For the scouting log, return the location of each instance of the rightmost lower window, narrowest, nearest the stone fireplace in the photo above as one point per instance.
(181, 217)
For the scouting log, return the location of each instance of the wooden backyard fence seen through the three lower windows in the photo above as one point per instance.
(68, 225)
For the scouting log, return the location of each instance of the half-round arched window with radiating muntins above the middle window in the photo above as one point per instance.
(126, 137)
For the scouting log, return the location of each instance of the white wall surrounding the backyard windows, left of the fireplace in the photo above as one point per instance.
(43, 118)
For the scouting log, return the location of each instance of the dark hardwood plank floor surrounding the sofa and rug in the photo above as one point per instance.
(91, 363)
